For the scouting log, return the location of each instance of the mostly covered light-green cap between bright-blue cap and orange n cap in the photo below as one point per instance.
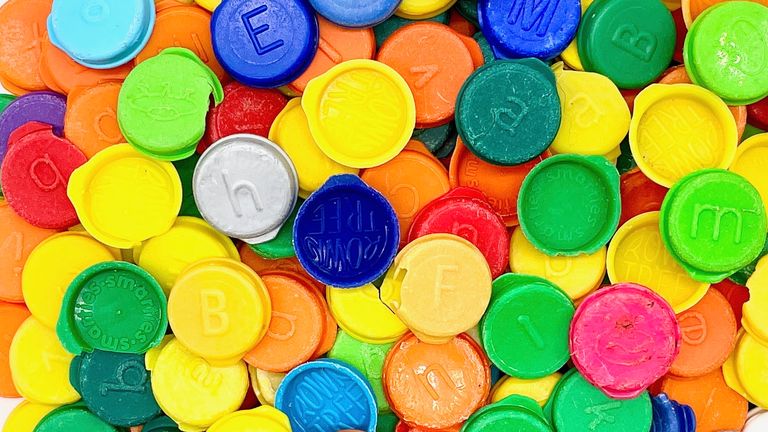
(367, 358)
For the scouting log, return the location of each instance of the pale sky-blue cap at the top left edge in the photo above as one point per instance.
(101, 34)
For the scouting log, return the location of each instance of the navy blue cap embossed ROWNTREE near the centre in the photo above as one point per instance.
(346, 234)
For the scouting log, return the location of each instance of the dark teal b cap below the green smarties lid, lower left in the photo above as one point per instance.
(115, 386)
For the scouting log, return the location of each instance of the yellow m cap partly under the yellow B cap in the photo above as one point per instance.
(191, 391)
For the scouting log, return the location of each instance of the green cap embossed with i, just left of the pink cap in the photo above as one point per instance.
(525, 328)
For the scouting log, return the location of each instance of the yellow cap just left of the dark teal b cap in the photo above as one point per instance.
(40, 365)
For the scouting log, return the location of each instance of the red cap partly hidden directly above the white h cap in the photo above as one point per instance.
(243, 110)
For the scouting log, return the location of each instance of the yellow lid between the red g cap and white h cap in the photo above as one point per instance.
(123, 197)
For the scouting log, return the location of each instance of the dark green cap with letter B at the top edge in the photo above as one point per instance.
(629, 41)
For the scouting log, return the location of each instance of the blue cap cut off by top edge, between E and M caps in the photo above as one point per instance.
(356, 13)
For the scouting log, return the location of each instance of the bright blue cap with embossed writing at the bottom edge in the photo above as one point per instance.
(327, 395)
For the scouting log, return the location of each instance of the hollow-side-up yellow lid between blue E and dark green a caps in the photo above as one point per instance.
(361, 113)
